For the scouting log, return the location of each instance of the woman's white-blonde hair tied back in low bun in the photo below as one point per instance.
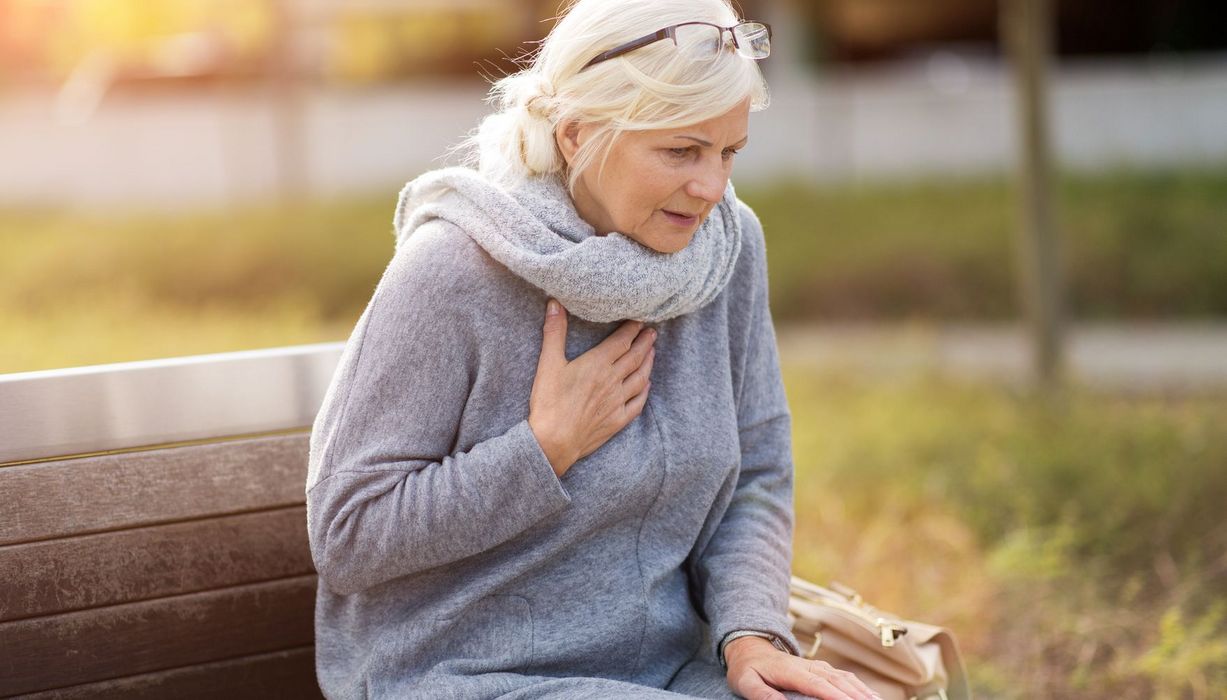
(652, 88)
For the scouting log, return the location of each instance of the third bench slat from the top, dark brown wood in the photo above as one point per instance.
(100, 644)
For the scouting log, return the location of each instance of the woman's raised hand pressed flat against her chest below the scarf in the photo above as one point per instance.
(576, 407)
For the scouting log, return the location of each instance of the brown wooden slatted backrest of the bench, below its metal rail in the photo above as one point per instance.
(176, 572)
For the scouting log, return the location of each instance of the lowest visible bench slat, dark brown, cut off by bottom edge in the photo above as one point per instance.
(279, 675)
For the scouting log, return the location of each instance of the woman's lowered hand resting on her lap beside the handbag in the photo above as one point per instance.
(759, 671)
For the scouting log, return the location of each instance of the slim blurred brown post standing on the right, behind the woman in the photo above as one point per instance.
(1026, 29)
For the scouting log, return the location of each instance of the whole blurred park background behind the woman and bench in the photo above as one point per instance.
(1007, 356)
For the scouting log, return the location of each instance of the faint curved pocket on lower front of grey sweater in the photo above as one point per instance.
(489, 636)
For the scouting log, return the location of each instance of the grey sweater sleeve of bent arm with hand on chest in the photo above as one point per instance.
(388, 493)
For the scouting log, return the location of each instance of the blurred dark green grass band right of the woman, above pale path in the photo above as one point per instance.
(1138, 245)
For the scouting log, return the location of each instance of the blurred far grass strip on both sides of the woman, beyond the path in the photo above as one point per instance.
(78, 289)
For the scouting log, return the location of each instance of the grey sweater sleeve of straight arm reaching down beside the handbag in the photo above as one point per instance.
(747, 567)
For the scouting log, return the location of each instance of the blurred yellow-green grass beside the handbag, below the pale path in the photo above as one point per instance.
(1075, 545)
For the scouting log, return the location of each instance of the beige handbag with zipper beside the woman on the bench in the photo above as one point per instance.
(900, 660)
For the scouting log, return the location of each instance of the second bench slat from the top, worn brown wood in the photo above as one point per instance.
(106, 569)
